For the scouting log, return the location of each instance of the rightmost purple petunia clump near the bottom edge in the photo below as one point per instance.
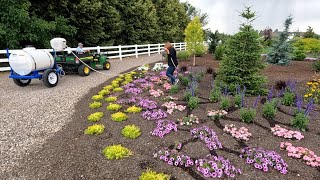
(264, 160)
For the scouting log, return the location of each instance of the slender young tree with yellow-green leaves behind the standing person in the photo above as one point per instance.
(194, 37)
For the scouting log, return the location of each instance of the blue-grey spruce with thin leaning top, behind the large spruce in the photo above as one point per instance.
(280, 52)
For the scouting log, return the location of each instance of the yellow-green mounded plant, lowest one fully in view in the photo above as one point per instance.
(116, 152)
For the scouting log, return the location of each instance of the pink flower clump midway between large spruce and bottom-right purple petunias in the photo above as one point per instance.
(240, 134)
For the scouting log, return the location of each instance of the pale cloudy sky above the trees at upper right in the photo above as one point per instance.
(223, 15)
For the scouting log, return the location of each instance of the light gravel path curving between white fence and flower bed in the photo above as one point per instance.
(31, 115)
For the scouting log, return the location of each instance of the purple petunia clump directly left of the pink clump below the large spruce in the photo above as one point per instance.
(207, 135)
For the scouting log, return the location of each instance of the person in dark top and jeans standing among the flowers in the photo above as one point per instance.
(172, 62)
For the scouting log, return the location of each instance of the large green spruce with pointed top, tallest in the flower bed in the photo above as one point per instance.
(241, 64)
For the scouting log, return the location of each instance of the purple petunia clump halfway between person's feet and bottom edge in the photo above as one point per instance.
(164, 127)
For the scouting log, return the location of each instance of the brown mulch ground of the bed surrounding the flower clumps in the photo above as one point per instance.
(72, 155)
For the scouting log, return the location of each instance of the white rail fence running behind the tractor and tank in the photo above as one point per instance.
(113, 52)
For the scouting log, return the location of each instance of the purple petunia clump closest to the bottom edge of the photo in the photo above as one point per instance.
(216, 167)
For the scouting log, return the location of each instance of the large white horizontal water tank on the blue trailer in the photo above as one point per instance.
(24, 61)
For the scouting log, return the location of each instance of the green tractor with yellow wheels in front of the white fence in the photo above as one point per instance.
(70, 63)
